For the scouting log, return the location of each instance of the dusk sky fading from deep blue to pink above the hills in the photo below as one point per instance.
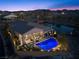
(14, 5)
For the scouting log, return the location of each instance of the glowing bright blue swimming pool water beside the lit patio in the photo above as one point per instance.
(47, 44)
